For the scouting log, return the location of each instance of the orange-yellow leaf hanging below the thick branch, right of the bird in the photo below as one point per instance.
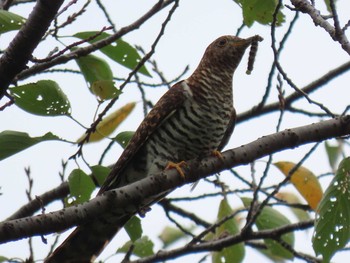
(304, 181)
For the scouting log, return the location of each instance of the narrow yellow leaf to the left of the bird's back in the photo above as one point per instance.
(109, 123)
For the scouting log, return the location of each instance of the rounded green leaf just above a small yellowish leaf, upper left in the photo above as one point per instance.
(94, 68)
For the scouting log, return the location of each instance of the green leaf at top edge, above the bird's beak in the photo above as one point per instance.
(259, 11)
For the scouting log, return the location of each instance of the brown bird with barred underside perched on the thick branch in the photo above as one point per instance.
(193, 119)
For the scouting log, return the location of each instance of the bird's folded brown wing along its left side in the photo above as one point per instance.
(165, 107)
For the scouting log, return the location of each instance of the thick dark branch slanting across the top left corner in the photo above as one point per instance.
(20, 50)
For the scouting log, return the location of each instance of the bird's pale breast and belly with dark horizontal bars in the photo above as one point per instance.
(193, 131)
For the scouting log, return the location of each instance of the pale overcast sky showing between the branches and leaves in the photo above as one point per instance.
(309, 54)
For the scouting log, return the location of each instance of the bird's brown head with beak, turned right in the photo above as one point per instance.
(226, 52)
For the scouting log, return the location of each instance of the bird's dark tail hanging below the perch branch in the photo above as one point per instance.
(86, 242)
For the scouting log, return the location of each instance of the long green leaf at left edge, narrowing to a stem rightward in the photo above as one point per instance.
(12, 142)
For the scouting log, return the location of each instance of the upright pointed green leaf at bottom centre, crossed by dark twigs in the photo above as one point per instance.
(233, 253)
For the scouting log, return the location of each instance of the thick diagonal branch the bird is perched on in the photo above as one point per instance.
(127, 199)
